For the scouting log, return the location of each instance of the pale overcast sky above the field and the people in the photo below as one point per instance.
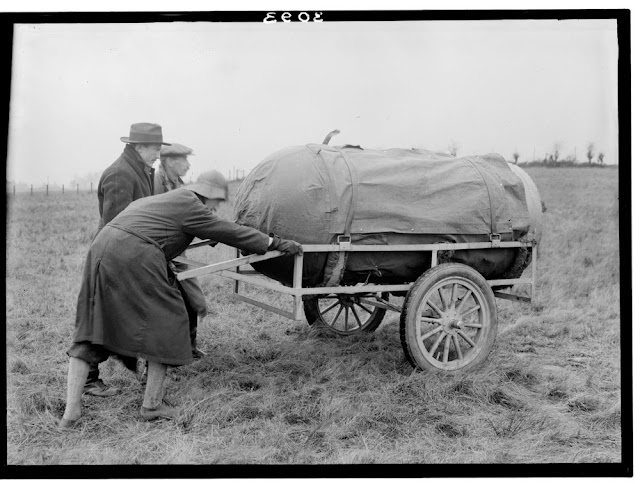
(236, 92)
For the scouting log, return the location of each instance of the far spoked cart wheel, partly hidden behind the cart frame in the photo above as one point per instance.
(347, 313)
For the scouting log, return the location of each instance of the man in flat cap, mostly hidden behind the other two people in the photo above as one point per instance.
(173, 166)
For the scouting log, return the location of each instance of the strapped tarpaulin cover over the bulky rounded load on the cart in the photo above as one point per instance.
(314, 193)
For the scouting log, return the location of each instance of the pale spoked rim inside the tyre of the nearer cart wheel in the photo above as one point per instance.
(454, 323)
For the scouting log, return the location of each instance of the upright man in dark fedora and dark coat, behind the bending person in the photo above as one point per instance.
(128, 178)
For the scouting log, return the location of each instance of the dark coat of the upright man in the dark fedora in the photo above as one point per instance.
(125, 180)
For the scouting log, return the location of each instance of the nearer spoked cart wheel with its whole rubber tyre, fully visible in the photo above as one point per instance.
(449, 319)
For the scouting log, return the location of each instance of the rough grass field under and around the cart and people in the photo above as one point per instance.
(275, 391)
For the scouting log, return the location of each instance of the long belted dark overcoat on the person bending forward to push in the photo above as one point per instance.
(129, 301)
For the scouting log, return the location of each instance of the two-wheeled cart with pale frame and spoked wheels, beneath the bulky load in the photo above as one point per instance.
(449, 317)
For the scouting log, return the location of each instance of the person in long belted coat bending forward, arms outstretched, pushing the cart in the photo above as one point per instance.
(129, 307)
